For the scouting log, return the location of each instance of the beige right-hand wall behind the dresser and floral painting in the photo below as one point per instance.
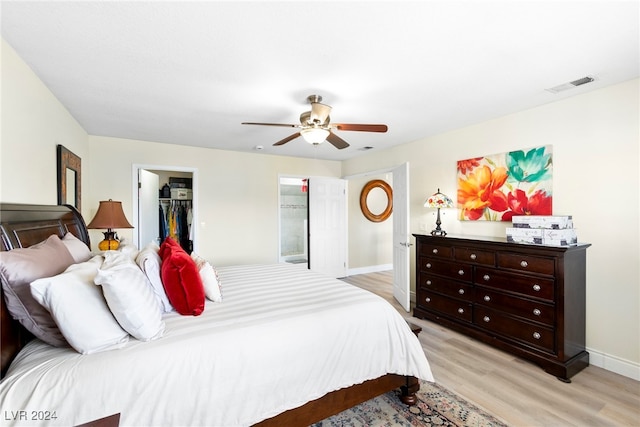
(595, 139)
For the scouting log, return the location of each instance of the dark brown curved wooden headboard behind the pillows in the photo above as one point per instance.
(21, 226)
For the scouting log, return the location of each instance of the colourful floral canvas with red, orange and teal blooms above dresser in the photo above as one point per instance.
(497, 187)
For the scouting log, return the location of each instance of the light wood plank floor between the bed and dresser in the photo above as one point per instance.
(518, 392)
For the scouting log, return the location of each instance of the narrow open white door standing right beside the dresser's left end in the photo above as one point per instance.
(401, 238)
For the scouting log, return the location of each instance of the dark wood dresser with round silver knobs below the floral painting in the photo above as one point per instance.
(525, 299)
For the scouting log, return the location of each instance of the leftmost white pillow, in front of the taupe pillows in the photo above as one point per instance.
(79, 309)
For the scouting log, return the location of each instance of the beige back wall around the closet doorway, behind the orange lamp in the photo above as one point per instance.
(237, 192)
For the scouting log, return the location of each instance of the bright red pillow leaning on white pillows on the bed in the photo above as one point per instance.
(181, 279)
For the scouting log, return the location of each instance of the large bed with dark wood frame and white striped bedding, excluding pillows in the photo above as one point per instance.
(287, 346)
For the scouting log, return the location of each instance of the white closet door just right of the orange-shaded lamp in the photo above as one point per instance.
(148, 203)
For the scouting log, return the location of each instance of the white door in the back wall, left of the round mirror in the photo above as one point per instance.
(328, 226)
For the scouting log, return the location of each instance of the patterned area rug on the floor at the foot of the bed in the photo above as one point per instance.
(436, 407)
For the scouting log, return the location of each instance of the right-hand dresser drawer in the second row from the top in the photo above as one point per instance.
(537, 287)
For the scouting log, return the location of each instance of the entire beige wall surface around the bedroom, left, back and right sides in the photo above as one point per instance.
(595, 141)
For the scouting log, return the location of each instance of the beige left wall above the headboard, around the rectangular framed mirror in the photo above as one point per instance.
(32, 123)
